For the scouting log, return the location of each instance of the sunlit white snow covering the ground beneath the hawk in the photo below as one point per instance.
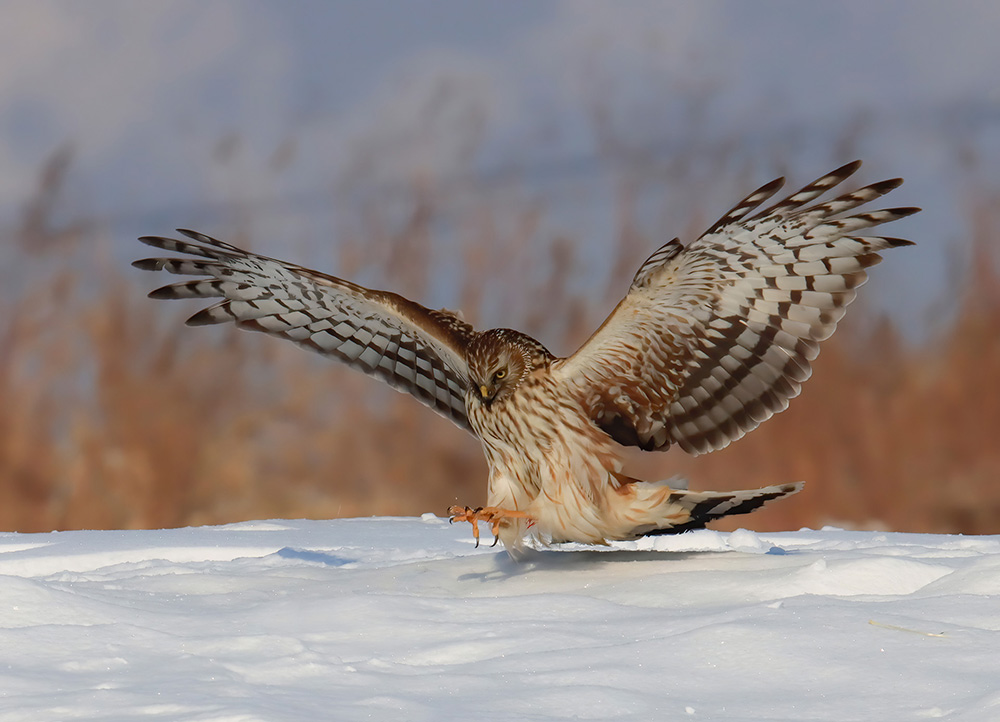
(403, 619)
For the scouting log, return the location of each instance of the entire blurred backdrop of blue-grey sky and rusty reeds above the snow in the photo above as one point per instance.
(517, 160)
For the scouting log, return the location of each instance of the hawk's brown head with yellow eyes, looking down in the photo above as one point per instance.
(499, 360)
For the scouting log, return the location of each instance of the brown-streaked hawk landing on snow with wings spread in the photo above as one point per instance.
(710, 340)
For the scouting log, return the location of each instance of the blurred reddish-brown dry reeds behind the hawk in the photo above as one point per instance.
(115, 415)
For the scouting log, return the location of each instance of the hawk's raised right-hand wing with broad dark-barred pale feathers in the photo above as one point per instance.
(713, 339)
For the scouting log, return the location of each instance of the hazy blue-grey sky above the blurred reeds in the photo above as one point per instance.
(183, 113)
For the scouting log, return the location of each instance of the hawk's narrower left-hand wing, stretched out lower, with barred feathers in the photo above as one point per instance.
(414, 349)
